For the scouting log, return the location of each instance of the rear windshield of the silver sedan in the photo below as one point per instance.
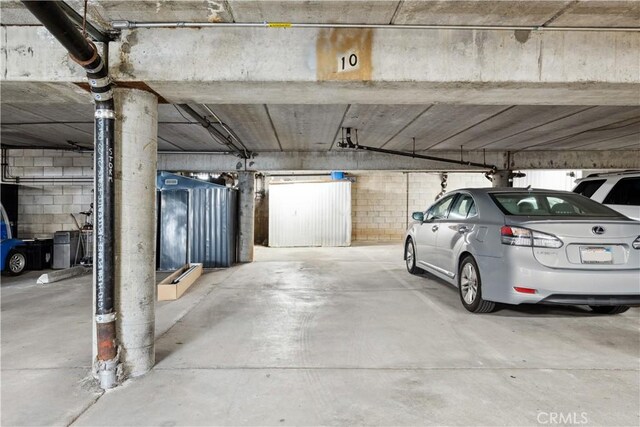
(550, 204)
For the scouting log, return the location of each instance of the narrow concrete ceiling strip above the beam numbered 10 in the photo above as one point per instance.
(587, 13)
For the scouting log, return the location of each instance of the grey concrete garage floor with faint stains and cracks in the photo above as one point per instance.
(335, 336)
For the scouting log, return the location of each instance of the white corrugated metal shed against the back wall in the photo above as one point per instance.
(310, 214)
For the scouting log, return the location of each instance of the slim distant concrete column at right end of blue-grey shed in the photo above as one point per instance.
(246, 184)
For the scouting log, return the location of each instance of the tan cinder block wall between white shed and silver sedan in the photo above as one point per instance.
(382, 203)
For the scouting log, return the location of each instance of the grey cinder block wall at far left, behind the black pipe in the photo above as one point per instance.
(46, 207)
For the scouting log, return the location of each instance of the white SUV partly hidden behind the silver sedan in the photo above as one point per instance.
(618, 190)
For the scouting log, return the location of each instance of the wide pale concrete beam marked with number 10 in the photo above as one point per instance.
(394, 66)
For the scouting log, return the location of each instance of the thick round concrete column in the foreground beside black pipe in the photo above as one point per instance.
(136, 165)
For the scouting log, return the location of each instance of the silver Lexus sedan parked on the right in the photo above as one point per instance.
(514, 246)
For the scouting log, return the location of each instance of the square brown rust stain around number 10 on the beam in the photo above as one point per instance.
(344, 54)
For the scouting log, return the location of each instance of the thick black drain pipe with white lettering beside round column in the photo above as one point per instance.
(85, 53)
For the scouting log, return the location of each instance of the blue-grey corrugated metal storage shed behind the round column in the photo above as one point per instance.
(197, 222)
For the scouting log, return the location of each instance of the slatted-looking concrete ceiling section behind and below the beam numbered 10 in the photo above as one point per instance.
(317, 127)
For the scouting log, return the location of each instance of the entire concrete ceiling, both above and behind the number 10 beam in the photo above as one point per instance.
(277, 127)
